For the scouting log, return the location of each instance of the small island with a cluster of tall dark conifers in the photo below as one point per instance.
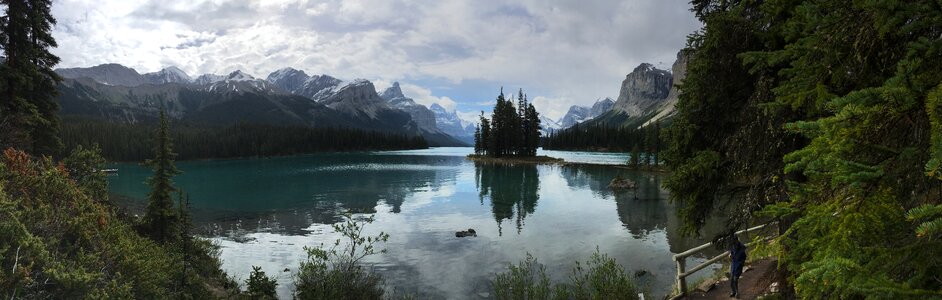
(511, 135)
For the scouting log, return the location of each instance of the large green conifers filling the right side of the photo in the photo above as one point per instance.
(825, 116)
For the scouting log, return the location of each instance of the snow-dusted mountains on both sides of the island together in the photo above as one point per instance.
(290, 96)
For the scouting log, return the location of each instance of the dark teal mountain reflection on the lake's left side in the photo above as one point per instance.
(286, 195)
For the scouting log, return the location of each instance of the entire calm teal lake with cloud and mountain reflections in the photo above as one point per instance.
(263, 212)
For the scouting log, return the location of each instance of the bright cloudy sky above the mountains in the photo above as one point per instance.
(455, 53)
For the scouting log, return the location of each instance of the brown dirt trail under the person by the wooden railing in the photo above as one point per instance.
(753, 283)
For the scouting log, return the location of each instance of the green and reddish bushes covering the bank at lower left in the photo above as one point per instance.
(56, 242)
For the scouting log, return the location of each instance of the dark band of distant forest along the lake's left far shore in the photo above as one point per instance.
(134, 142)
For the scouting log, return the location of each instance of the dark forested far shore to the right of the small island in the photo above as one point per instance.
(603, 138)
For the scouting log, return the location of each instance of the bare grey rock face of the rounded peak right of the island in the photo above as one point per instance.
(643, 90)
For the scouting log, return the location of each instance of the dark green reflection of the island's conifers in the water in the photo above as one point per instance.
(513, 190)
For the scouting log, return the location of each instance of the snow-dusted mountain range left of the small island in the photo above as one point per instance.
(287, 97)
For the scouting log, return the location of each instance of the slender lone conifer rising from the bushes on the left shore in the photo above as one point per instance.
(160, 220)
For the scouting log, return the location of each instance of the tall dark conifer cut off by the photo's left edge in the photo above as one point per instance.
(28, 110)
